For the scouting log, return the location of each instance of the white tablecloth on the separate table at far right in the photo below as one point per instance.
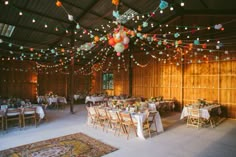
(204, 112)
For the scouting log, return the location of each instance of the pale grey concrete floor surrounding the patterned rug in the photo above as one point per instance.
(176, 141)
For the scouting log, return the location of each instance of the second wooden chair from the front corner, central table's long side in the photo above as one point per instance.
(114, 121)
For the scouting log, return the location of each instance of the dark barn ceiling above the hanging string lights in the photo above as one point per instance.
(44, 33)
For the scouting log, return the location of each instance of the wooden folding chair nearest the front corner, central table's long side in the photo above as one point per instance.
(128, 123)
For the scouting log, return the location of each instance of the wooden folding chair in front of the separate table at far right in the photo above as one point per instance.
(194, 118)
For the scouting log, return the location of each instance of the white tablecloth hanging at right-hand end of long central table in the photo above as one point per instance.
(140, 118)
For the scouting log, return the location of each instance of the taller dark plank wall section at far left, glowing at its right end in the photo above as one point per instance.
(18, 79)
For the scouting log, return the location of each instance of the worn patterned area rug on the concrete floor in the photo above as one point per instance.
(74, 145)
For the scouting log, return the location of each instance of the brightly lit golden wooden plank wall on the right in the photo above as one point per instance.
(214, 81)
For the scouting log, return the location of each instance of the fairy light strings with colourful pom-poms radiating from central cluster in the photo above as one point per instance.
(187, 44)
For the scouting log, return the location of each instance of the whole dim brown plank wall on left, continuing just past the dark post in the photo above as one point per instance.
(20, 79)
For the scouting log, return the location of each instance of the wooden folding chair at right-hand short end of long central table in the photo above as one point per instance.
(149, 122)
